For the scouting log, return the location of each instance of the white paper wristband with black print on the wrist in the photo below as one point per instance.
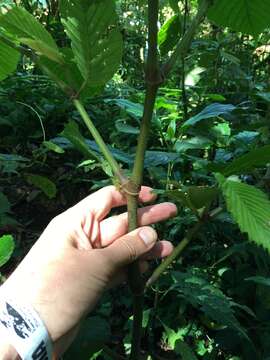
(24, 329)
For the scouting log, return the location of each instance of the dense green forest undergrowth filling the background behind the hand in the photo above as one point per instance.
(208, 151)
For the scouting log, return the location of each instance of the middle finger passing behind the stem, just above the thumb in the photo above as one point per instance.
(116, 226)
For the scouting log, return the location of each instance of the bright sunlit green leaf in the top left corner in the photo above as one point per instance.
(24, 26)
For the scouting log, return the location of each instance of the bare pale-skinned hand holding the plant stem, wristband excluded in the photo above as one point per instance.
(80, 254)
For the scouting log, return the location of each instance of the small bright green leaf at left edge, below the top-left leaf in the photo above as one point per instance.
(9, 59)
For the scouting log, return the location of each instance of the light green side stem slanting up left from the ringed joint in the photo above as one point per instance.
(100, 142)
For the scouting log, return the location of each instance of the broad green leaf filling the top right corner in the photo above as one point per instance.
(247, 16)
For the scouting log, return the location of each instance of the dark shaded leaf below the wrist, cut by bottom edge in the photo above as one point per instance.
(94, 332)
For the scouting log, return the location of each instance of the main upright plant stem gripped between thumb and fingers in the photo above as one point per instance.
(153, 79)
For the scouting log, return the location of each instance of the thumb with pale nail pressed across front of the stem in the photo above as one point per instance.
(131, 246)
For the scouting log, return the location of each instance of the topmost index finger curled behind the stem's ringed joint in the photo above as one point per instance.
(102, 201)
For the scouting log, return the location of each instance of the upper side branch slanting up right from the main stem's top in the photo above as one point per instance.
(183, 44)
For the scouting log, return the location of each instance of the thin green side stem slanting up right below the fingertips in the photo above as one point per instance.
(177, 251)
